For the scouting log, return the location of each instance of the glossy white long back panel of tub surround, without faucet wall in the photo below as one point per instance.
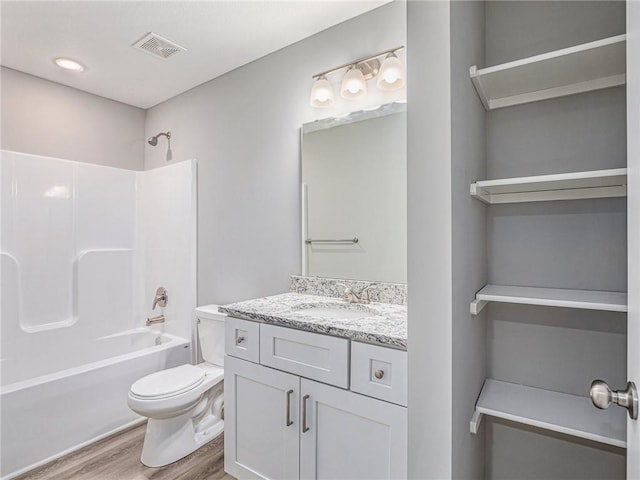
(67, 247)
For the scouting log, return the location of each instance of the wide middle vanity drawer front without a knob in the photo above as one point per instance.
(311, 355)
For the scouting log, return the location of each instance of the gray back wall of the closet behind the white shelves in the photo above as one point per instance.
(575, 244)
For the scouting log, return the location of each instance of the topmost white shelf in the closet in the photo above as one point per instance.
(582, 68)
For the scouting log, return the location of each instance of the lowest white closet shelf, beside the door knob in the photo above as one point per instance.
(559, 412)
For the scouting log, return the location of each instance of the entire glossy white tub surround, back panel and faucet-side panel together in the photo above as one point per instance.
(83, 248)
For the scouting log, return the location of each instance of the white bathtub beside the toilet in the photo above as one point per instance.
(50, 415)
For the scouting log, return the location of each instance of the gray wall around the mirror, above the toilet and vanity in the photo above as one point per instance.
(244, 130)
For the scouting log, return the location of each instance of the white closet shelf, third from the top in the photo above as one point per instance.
(552, 297)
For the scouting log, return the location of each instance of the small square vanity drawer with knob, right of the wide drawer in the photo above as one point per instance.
(379, 372)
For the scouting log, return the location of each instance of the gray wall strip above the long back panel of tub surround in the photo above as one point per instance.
(45, 118)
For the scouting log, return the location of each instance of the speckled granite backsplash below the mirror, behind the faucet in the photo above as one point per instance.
(333, 287)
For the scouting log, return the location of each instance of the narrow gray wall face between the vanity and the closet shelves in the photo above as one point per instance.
(429, 240)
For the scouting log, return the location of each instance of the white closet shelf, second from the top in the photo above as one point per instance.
(564, 186)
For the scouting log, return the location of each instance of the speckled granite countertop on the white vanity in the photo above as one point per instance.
(385, 323)
